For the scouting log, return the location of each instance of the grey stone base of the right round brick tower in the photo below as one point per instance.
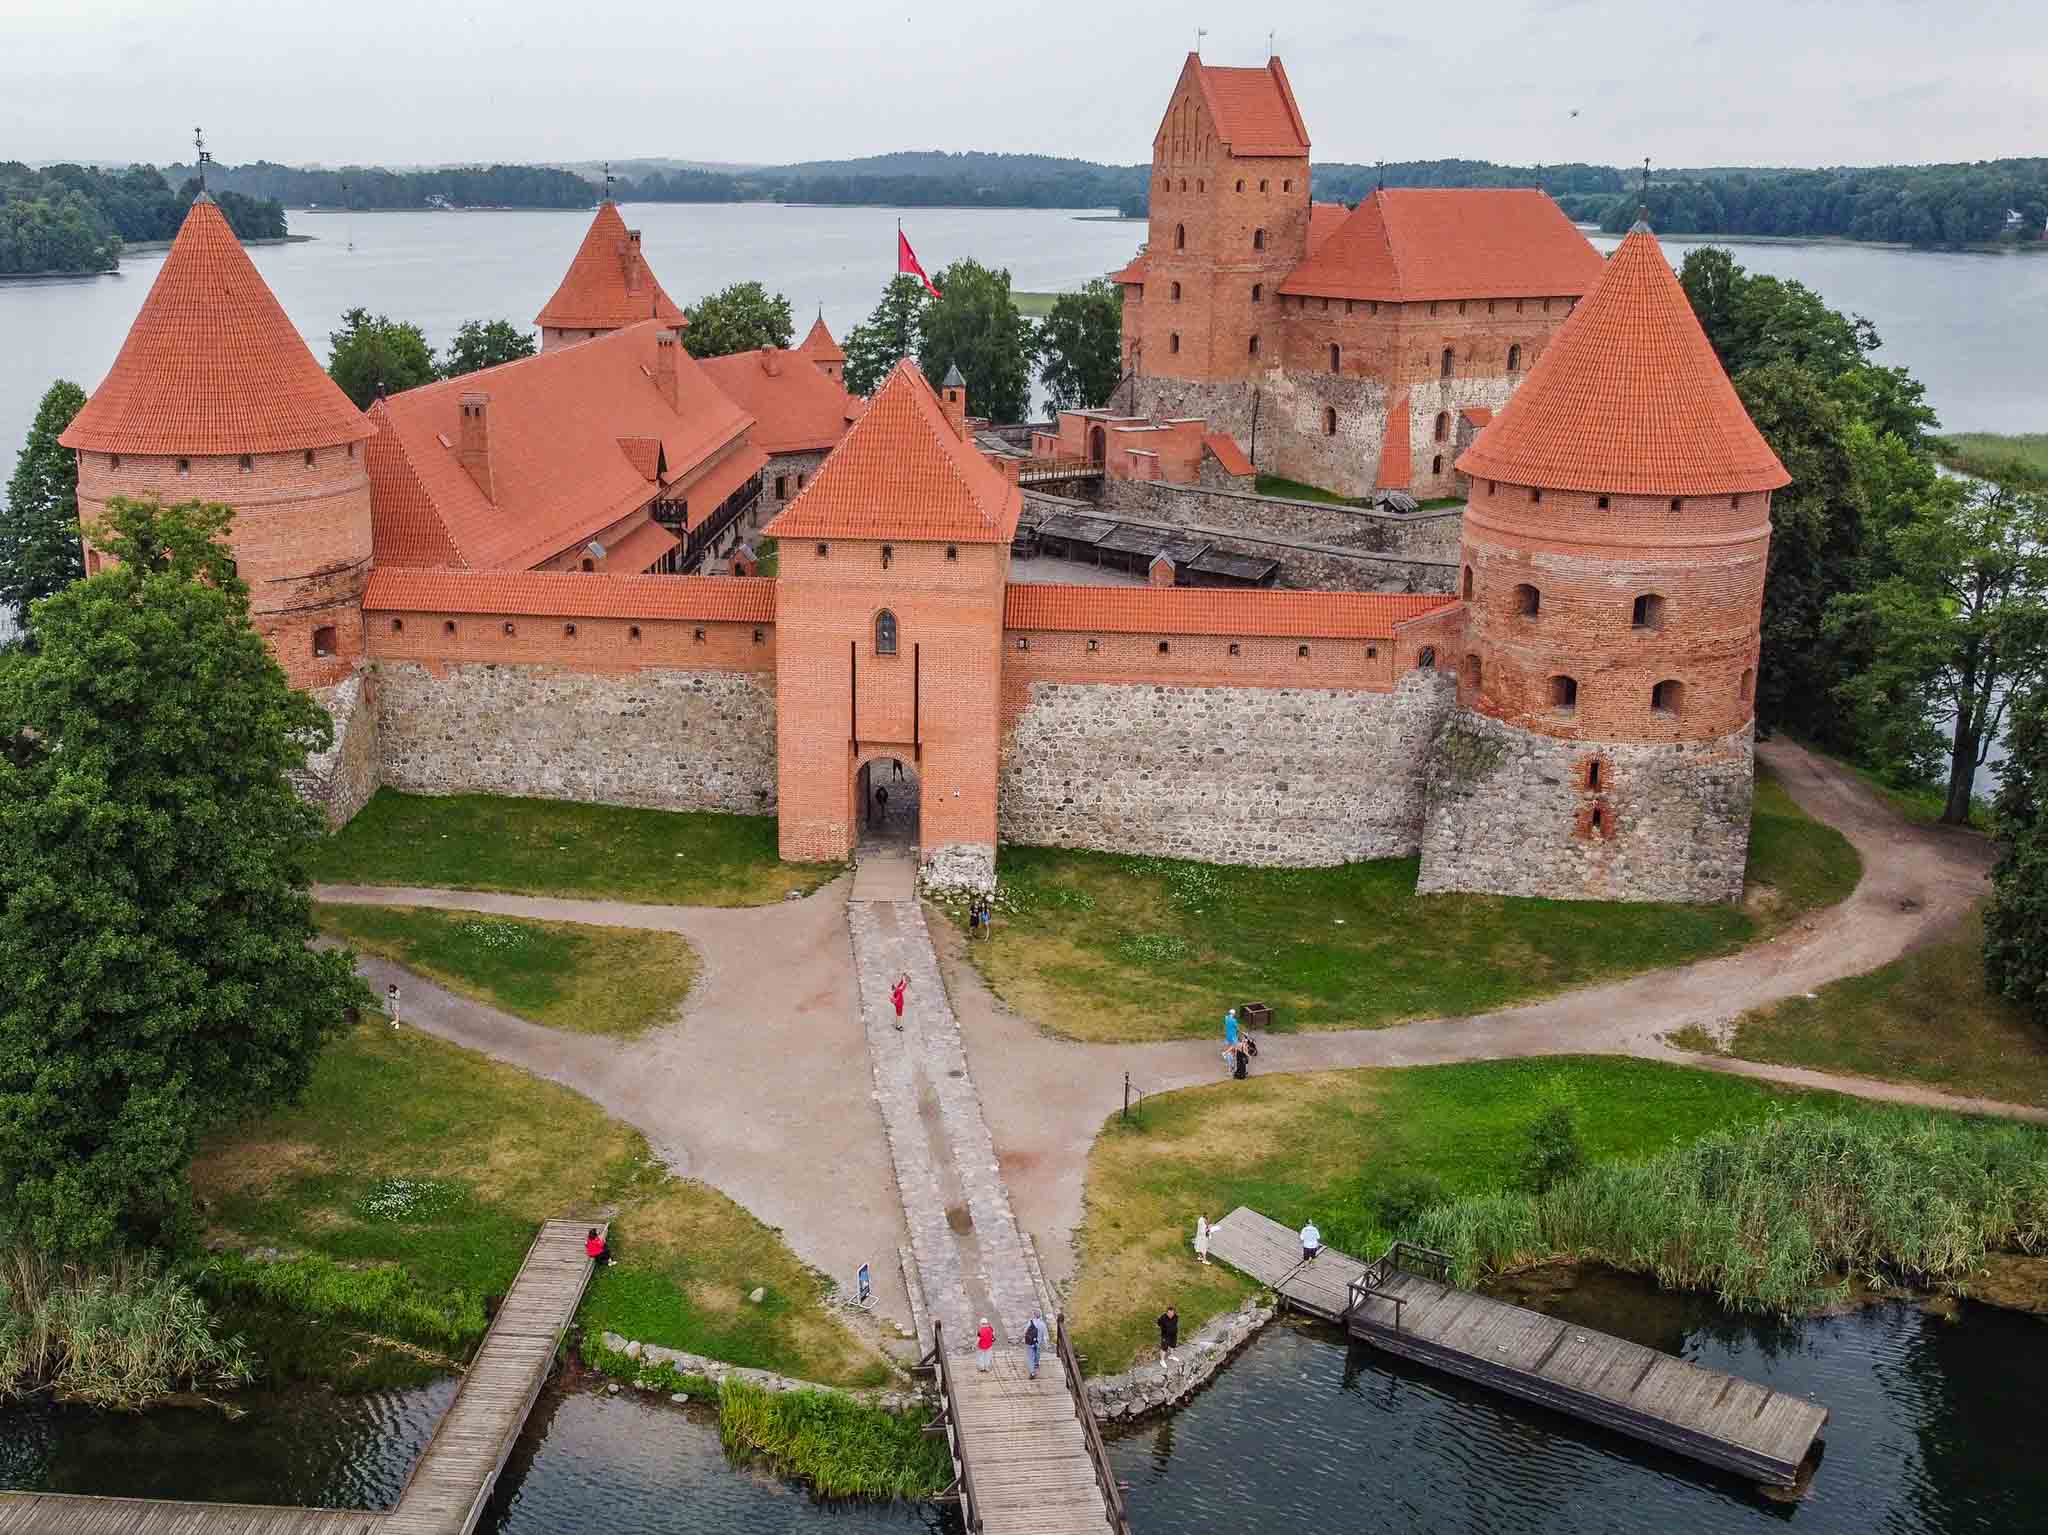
(1521, 814)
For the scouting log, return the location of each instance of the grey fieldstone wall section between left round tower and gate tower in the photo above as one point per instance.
(663, 738)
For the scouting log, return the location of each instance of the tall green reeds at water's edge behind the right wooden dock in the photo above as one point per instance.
(1781, 1215)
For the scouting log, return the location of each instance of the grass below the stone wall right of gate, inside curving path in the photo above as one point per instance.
(1103, 947)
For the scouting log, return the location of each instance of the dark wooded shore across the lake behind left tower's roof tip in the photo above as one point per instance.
(77, 218)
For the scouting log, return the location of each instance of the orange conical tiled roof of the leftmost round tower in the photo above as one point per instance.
(212, 365)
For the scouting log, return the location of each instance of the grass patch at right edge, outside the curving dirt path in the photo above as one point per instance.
(1924, 1018)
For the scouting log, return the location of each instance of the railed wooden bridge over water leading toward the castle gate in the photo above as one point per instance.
(1027, 1454)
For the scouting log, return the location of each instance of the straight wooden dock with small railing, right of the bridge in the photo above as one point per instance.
(1406, 1307)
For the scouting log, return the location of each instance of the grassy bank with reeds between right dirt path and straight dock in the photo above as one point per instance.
(1693, 1176)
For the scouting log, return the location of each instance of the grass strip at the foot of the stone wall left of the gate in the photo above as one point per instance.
(484, 842)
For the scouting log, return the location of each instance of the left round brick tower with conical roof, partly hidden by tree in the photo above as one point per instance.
(216, 398)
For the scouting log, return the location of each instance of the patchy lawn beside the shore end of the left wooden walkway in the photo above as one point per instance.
(417, 1153)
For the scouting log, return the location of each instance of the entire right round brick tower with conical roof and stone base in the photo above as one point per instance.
(1613, 572)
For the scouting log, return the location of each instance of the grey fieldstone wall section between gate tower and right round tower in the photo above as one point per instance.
(1297, 777)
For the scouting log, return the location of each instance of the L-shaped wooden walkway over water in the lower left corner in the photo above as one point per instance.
(456, 1477)
